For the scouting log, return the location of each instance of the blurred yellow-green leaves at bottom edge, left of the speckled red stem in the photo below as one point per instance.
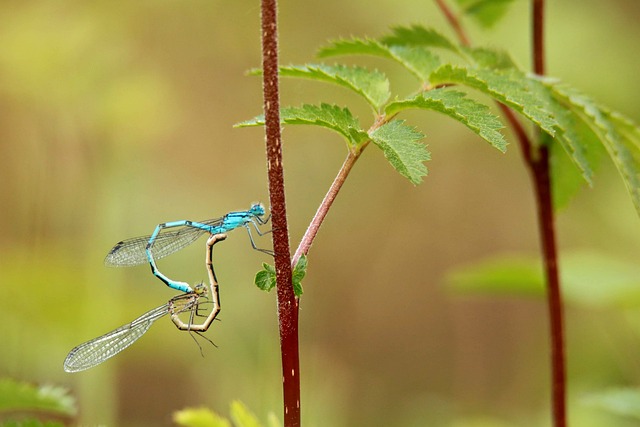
(241, 416)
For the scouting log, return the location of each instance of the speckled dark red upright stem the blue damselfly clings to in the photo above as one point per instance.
(287, 302)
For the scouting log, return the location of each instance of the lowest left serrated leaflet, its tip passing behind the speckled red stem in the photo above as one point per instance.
(329, 116)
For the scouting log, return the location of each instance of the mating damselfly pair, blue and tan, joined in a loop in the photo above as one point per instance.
(159, 244)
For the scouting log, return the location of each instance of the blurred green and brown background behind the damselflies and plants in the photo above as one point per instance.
(117, 115)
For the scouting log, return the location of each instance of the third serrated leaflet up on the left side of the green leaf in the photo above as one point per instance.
(418, 60)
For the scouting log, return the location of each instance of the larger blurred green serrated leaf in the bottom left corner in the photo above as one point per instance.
(17, 396)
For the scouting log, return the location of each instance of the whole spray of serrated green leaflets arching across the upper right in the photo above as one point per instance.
(578, 130)
